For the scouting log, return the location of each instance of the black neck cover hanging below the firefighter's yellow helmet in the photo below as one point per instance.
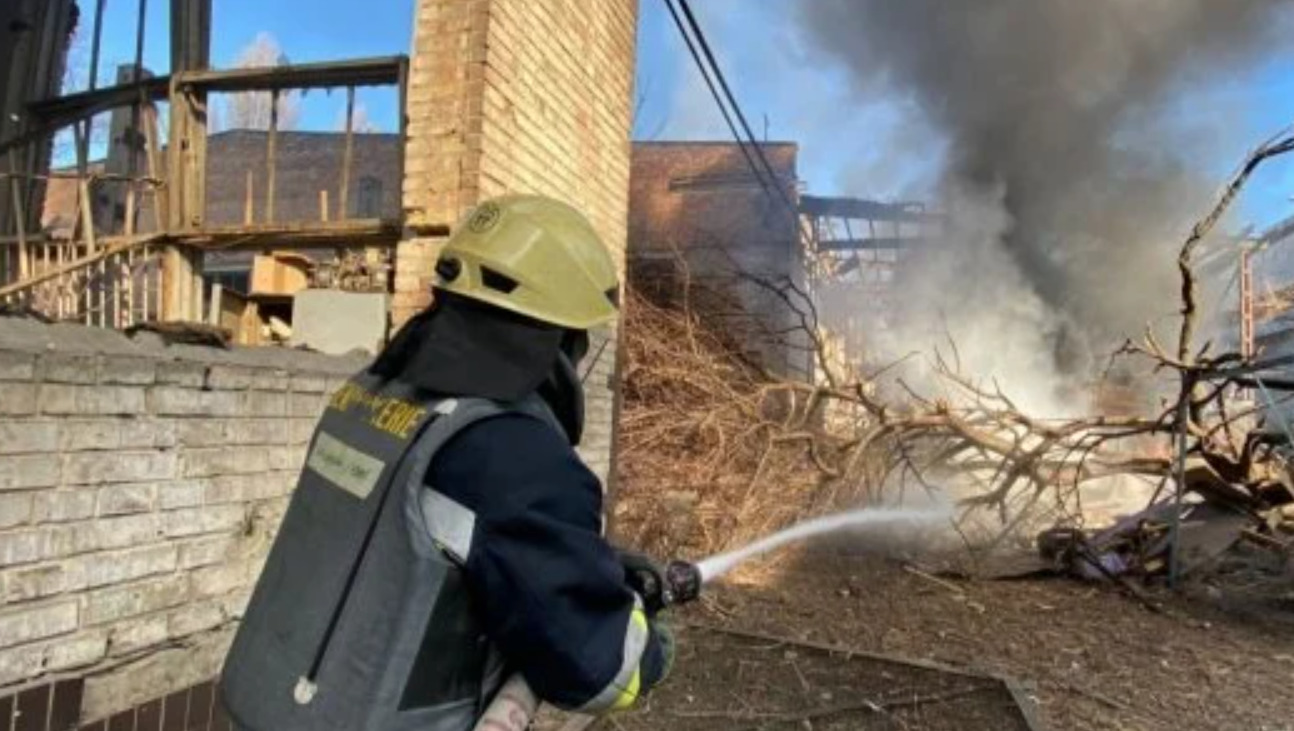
(461, 347)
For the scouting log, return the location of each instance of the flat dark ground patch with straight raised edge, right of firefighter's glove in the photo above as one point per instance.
(727, 680)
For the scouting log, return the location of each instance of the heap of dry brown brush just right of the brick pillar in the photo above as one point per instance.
(708, 448)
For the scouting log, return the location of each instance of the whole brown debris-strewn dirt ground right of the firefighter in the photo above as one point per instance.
(1088, 657)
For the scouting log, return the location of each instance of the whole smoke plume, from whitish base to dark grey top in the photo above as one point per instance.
(1071, 175)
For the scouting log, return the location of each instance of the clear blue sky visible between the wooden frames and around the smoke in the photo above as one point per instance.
(848, 146)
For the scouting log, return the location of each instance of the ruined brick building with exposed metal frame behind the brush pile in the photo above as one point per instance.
(703, 224)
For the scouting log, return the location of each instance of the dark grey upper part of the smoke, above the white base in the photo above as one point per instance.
(1059, 105)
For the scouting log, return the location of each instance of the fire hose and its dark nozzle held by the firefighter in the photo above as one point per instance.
(659, 588)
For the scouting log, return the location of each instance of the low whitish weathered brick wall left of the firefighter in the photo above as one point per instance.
(140, 486)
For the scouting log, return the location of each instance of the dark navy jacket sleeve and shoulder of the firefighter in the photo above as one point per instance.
(551, 591)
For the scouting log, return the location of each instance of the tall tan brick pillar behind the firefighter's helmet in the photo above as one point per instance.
(521, 96)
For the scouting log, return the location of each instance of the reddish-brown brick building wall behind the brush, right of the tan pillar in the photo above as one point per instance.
(699, 201)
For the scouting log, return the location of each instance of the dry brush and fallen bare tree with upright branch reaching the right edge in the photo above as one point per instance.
(716, 450)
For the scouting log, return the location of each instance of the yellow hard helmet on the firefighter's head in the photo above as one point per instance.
(535, 257)
